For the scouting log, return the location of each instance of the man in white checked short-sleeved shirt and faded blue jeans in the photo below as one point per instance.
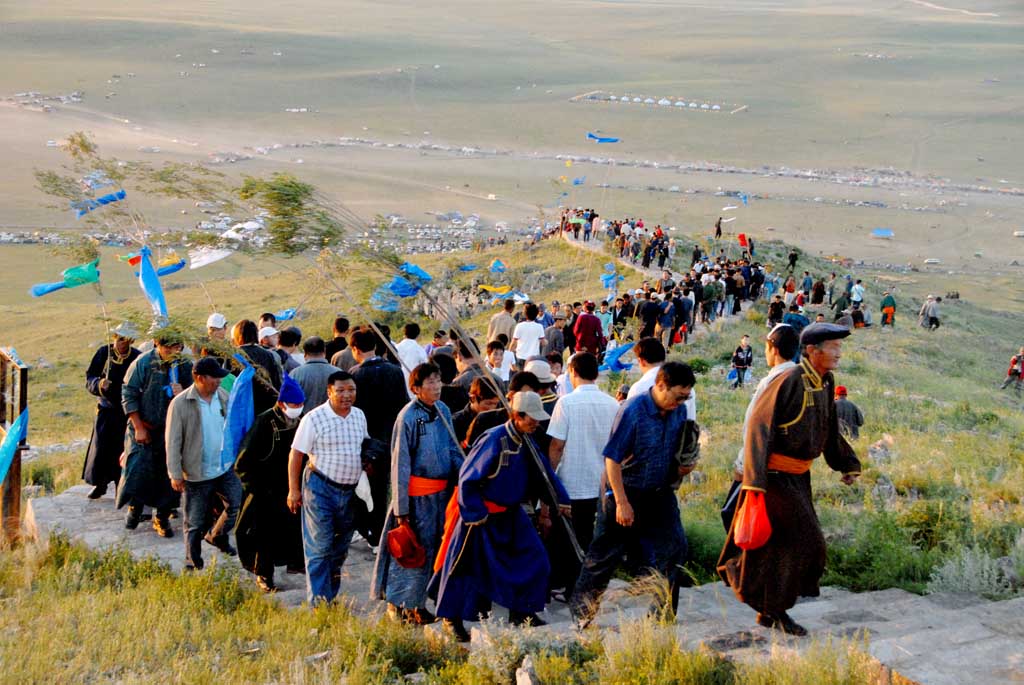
(331, 436)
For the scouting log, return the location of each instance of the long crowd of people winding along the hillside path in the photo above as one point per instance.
(486, 472)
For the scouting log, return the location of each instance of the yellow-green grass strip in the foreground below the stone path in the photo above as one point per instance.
(93, 617)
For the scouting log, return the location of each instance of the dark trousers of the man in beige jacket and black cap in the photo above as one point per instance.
(200, 497)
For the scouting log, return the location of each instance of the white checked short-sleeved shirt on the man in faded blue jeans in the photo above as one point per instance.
(334, 444)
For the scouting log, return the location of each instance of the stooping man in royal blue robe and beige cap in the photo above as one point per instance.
(491, 551)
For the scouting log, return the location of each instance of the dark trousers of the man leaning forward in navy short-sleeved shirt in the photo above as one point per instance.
(656, 542)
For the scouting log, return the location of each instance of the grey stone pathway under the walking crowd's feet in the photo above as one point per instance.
(936, 639)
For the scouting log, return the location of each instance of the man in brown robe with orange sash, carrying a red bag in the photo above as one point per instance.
(792, 423)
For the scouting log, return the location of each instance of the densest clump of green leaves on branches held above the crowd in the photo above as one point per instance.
(297, 220)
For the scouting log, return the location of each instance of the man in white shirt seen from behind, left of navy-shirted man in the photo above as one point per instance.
(581, 424)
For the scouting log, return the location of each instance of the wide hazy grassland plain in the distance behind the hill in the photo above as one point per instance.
(946, 101)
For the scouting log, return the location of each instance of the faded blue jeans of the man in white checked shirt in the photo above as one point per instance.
(328, 523)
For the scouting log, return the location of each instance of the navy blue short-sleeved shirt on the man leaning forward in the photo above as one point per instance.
(645, 443)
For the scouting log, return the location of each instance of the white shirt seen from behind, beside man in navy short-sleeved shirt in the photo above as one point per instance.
(583, 420)
